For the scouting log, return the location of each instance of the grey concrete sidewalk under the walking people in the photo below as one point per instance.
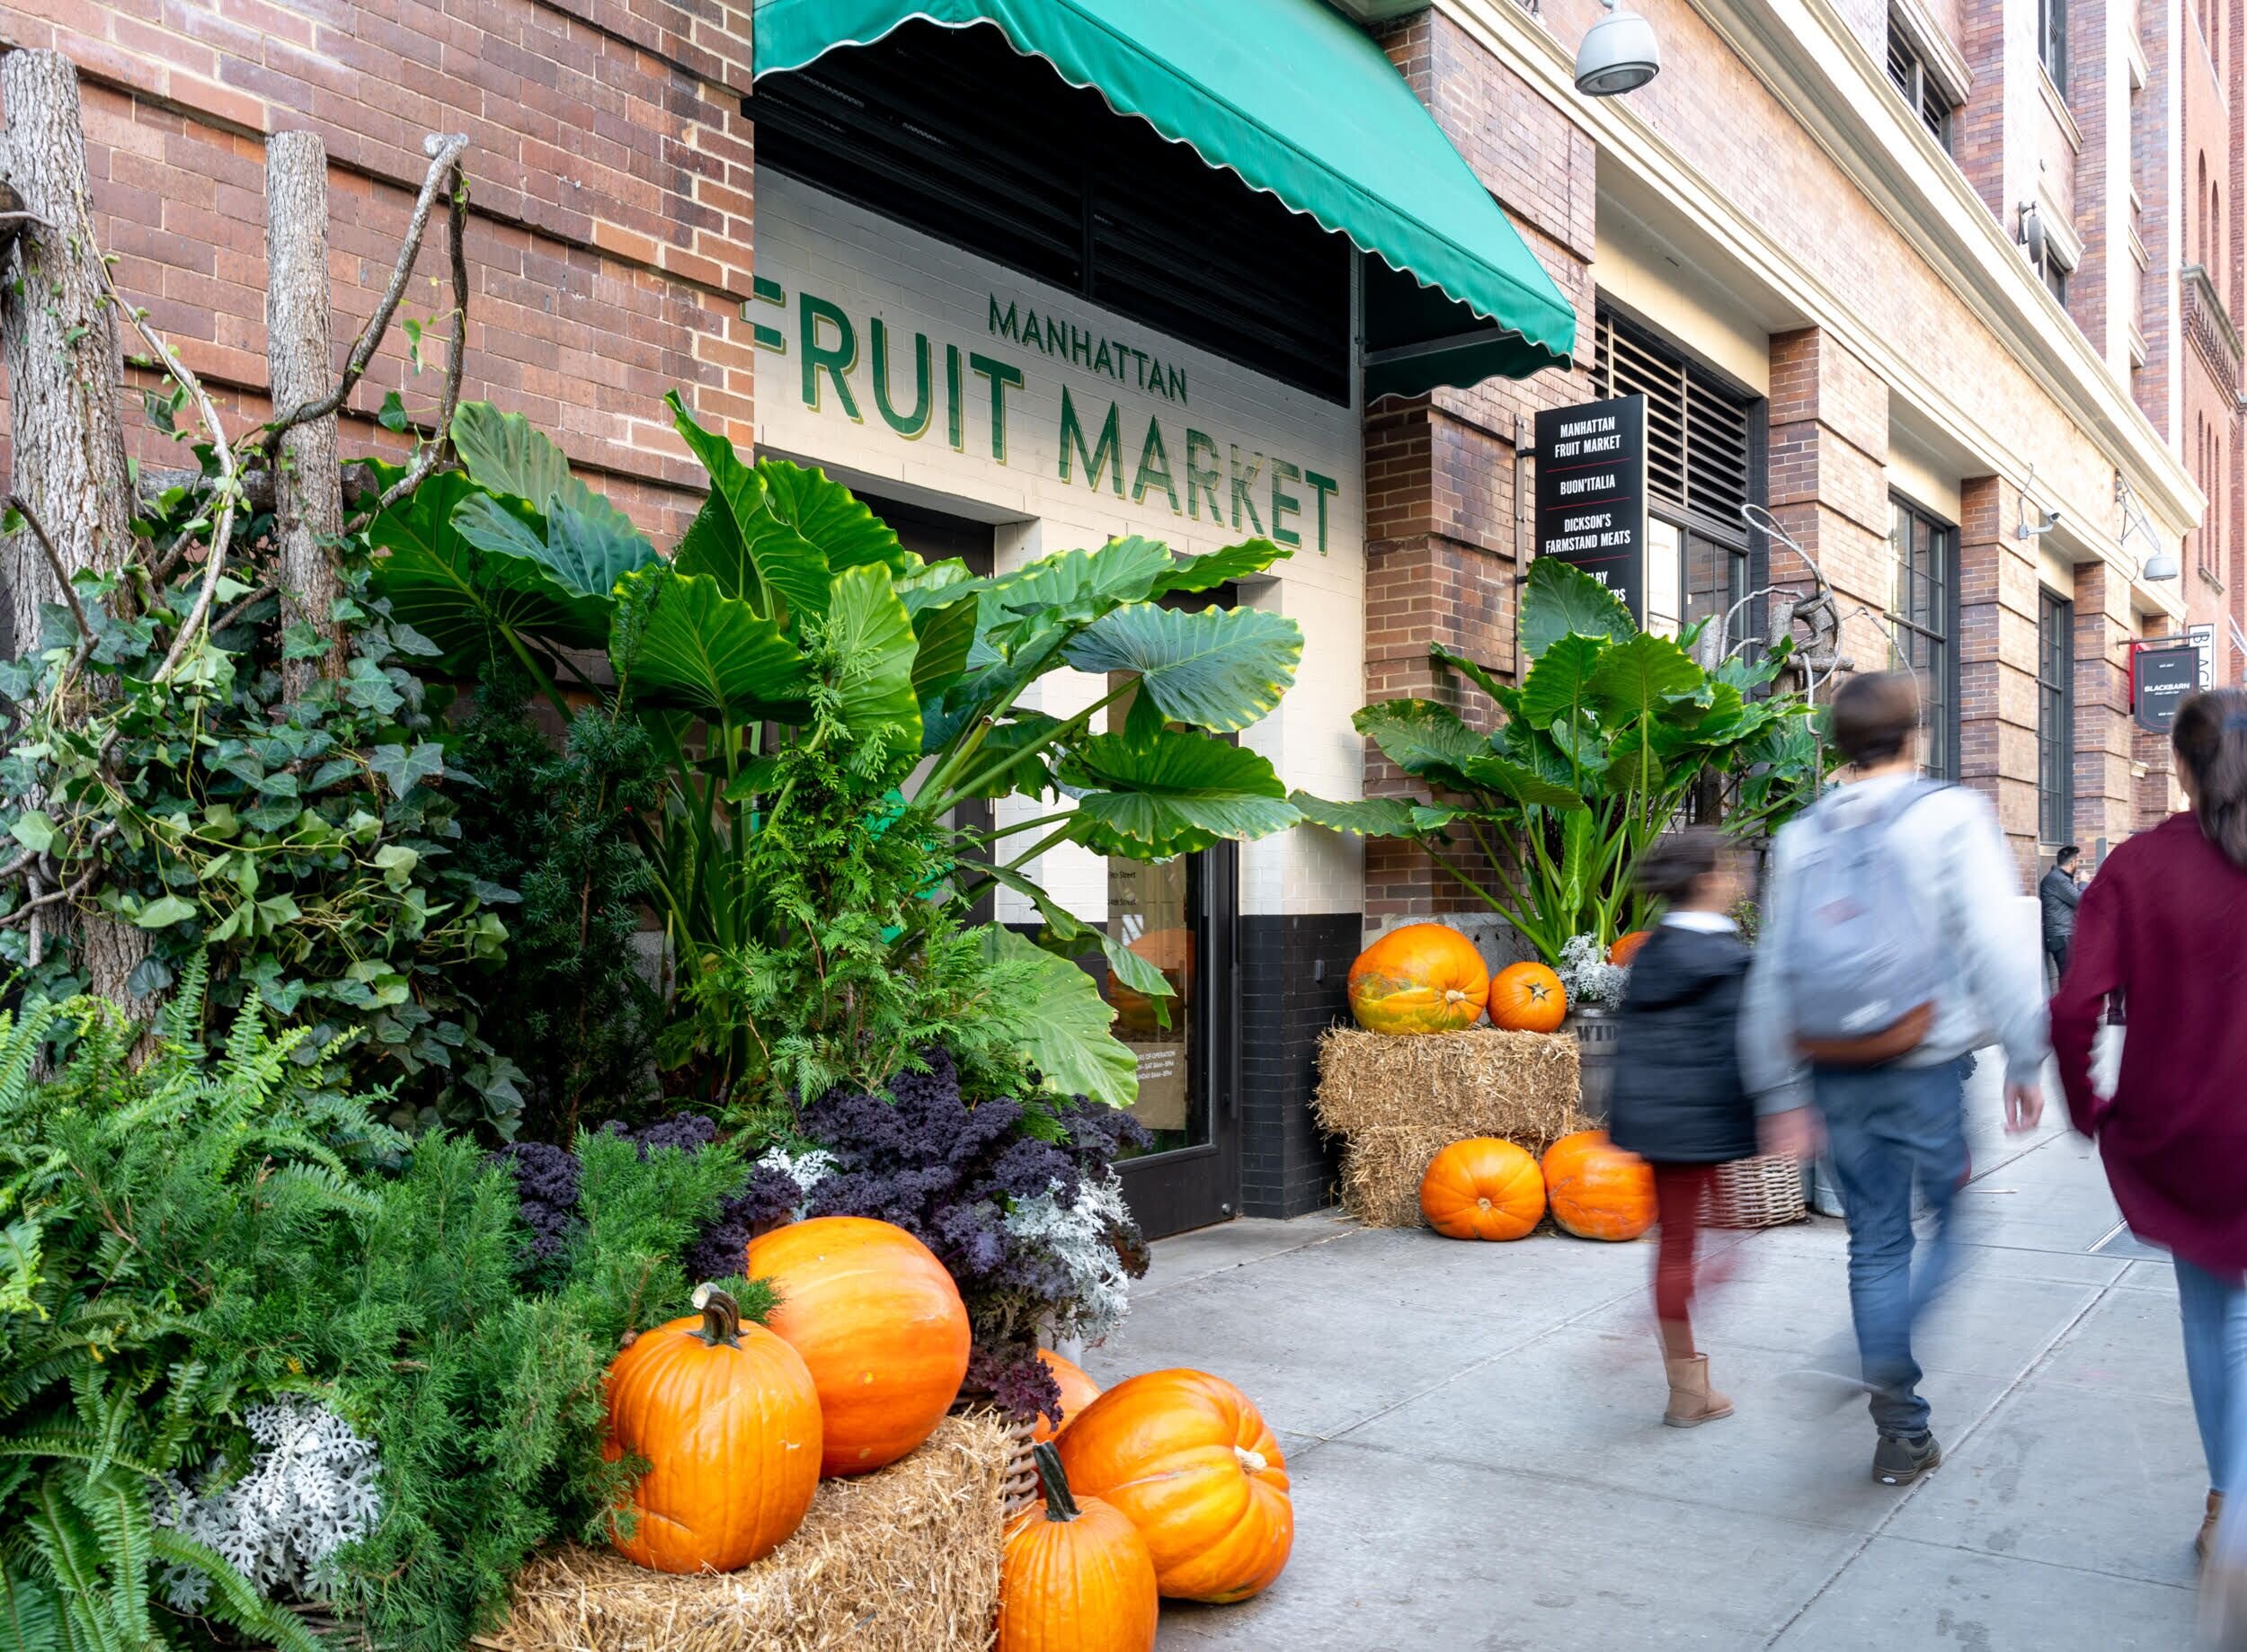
(1480, 1462)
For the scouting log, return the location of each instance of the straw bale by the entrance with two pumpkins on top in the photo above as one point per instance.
(1397, 1102)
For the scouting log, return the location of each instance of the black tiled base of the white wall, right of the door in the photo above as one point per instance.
(1293, 988)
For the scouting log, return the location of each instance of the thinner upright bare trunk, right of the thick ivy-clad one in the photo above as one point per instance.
(309, 491)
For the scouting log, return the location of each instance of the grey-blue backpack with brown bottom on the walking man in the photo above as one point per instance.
(1862, 970)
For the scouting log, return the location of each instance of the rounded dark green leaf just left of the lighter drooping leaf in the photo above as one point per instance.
(682, 642)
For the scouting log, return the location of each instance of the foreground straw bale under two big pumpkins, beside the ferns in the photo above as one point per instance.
(898, 1561)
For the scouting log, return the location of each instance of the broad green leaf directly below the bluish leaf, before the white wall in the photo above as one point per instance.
(1174, 795)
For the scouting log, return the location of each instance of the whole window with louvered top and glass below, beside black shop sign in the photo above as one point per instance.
(1704, 462)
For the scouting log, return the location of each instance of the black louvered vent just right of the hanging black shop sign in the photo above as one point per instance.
(1700, 446)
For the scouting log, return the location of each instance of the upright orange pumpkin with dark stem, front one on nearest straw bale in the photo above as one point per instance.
(729, 1424)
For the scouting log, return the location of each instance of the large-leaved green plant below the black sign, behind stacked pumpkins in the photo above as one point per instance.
(1596, 754)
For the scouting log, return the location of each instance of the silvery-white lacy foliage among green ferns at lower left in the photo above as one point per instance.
(311, 1489)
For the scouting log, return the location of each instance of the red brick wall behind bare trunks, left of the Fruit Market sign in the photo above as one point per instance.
(610, 167)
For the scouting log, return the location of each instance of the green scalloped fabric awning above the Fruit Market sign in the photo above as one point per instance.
(1302, 105)
